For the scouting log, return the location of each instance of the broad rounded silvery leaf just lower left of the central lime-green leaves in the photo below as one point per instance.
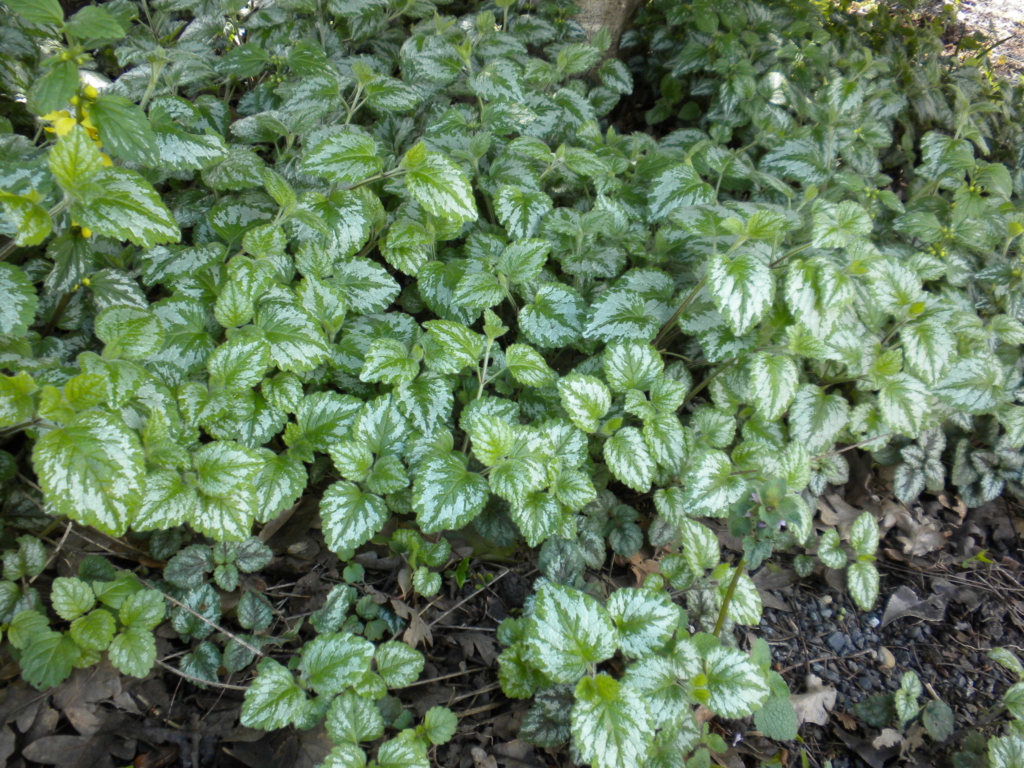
(447, 496)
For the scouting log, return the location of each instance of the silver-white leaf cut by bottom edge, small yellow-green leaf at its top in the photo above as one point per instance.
(611, 723)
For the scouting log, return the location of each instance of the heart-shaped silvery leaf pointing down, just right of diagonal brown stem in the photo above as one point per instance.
(742, 288)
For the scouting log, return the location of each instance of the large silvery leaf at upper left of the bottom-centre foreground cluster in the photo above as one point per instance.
(570, 630)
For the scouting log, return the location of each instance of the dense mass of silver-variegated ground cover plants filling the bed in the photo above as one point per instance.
(414, 265)
